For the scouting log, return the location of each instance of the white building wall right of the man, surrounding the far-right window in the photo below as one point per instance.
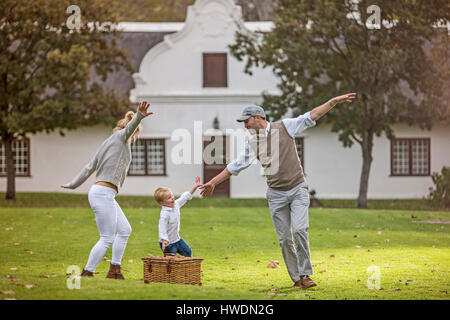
(334, 171)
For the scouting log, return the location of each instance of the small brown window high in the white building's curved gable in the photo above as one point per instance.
(215, 72)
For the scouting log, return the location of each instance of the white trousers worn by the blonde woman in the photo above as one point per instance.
(112, 224)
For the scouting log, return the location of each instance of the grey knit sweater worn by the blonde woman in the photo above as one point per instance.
(112, 159)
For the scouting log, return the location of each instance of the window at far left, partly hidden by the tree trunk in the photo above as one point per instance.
(21, 151)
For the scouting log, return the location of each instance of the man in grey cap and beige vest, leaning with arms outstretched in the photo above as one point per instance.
(273, 144)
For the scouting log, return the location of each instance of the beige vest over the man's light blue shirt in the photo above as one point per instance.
(278, 156)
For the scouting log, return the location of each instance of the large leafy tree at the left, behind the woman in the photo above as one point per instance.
(48, 59)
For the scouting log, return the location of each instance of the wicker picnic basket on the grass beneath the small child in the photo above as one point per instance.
(172, 269)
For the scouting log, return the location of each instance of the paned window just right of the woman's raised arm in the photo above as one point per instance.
(148, 158)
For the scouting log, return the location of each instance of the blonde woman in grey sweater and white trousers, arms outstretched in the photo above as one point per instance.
(111, 163)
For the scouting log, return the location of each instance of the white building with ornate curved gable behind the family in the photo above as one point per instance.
(194, 84)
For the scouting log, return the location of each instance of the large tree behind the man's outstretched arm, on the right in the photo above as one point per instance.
(319, 49)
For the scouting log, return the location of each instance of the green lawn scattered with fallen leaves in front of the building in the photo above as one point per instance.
(37, 245)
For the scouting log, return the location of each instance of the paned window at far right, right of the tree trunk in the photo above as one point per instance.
(410, 157)
